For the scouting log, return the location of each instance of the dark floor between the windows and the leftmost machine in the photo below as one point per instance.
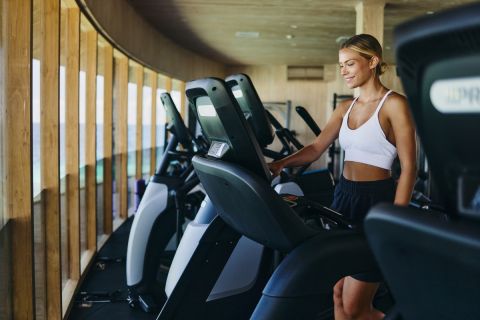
(107, 279)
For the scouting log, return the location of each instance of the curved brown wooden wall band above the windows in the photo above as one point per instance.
(146, 44)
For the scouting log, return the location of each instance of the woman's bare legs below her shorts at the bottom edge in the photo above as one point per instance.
(353, 300)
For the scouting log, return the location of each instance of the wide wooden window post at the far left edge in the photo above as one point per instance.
(18, 178)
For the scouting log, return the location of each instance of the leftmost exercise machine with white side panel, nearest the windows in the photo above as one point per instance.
(158, 223)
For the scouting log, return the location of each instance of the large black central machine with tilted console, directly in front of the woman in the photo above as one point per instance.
(316, 258)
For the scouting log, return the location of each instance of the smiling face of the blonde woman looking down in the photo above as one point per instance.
(354, 68)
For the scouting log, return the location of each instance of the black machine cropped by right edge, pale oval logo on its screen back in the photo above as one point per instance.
(432, 262)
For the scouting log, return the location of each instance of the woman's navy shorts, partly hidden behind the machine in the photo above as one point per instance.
(353, 199)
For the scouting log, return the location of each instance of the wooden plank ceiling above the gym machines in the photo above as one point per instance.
(209, 27)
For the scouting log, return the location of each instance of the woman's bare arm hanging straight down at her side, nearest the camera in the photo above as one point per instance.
(404, 132)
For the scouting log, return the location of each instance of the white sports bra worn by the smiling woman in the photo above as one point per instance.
(368, 143)
